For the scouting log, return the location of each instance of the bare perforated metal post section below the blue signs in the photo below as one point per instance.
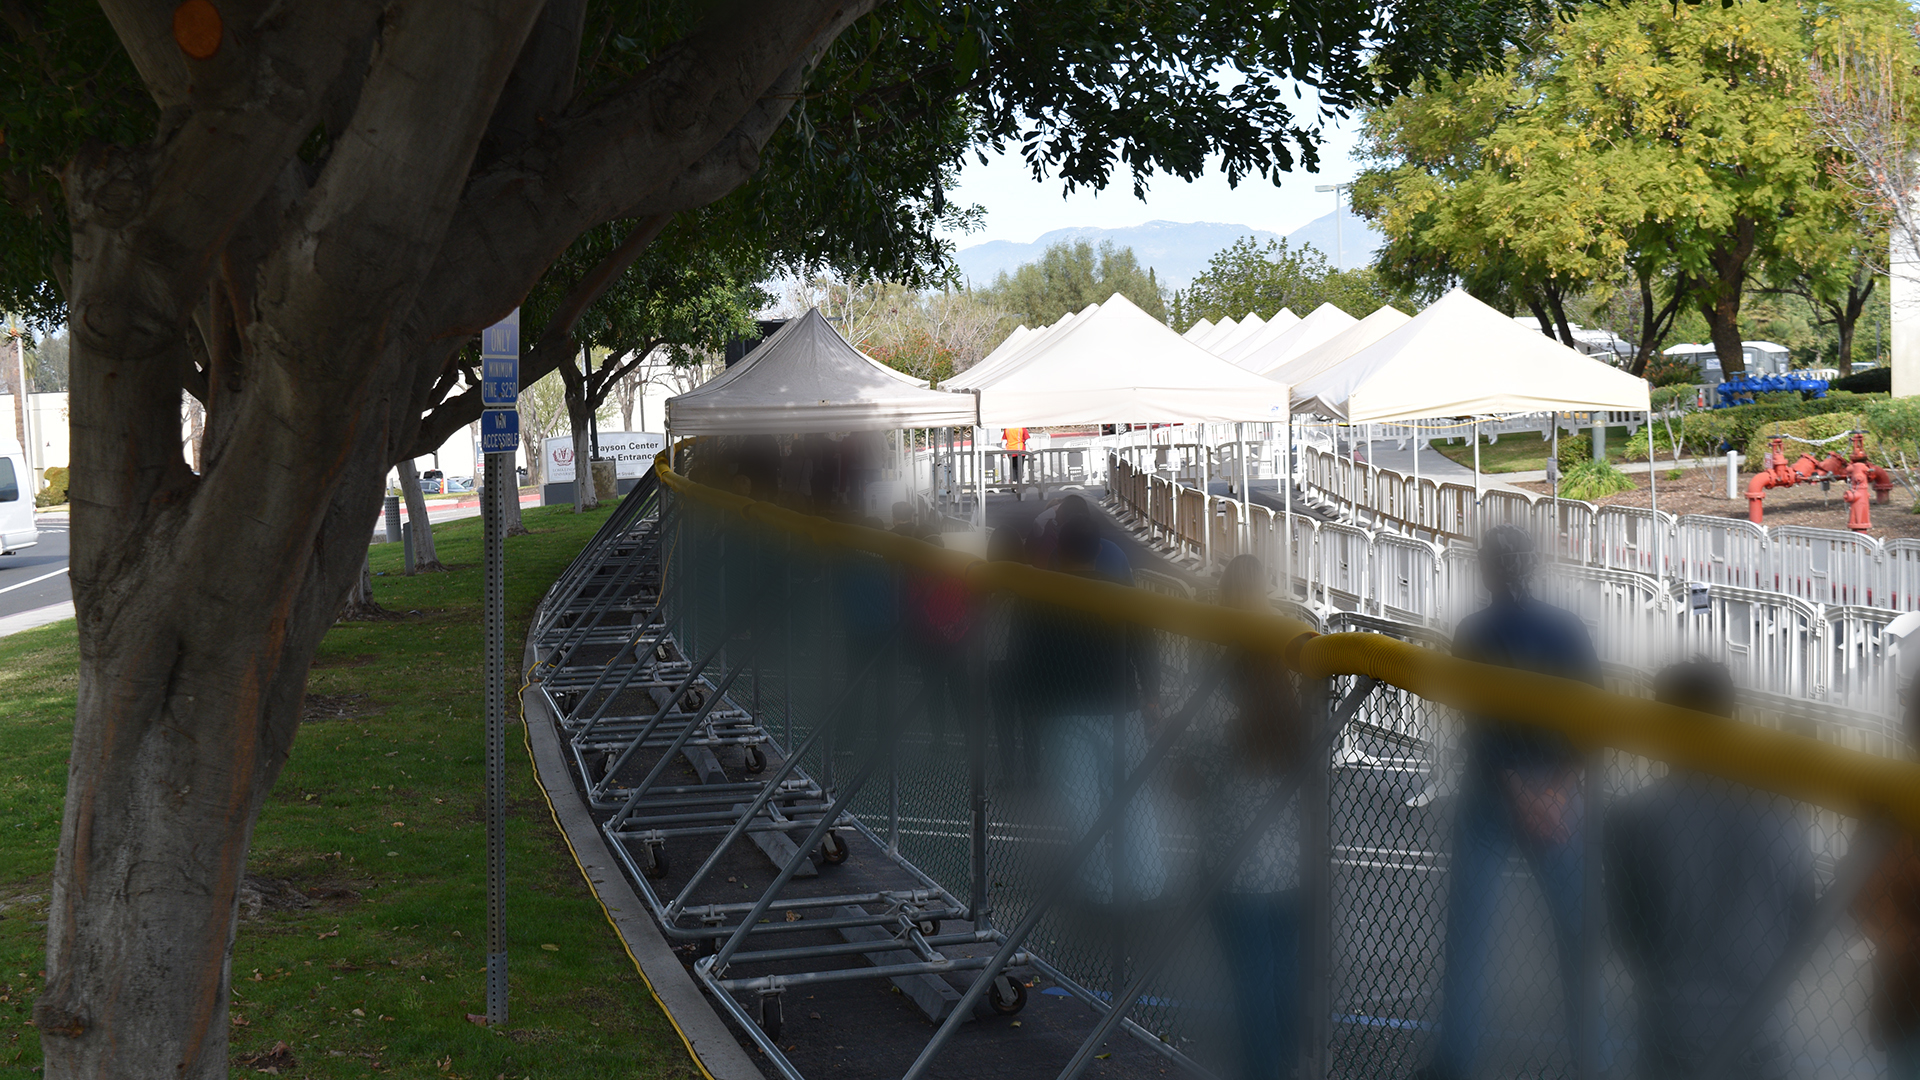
(496, 739)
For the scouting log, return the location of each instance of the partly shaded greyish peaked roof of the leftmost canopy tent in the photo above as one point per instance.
(809, 380)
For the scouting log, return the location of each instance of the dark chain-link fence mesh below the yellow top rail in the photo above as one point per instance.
(1280, 875)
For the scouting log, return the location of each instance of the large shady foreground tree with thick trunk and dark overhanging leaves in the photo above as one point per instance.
(302, 214)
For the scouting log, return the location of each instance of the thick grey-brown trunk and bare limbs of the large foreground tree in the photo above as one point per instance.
(325, 297)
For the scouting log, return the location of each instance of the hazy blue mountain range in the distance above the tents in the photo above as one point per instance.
(1176, 251)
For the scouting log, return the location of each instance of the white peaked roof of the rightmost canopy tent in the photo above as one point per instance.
(1462, 358)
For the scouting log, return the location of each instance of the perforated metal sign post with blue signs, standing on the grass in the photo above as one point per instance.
(500, 435)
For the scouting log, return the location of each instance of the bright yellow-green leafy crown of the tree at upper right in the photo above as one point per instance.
(1662, 149)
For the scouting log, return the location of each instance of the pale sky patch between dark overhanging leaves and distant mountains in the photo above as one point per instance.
(1020, 209)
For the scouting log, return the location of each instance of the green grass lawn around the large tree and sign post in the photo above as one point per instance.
(368, 950)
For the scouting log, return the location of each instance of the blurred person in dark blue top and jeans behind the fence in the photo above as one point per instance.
(1522, 791)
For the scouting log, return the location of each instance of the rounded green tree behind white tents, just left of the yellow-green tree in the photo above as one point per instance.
(1251, 278)
